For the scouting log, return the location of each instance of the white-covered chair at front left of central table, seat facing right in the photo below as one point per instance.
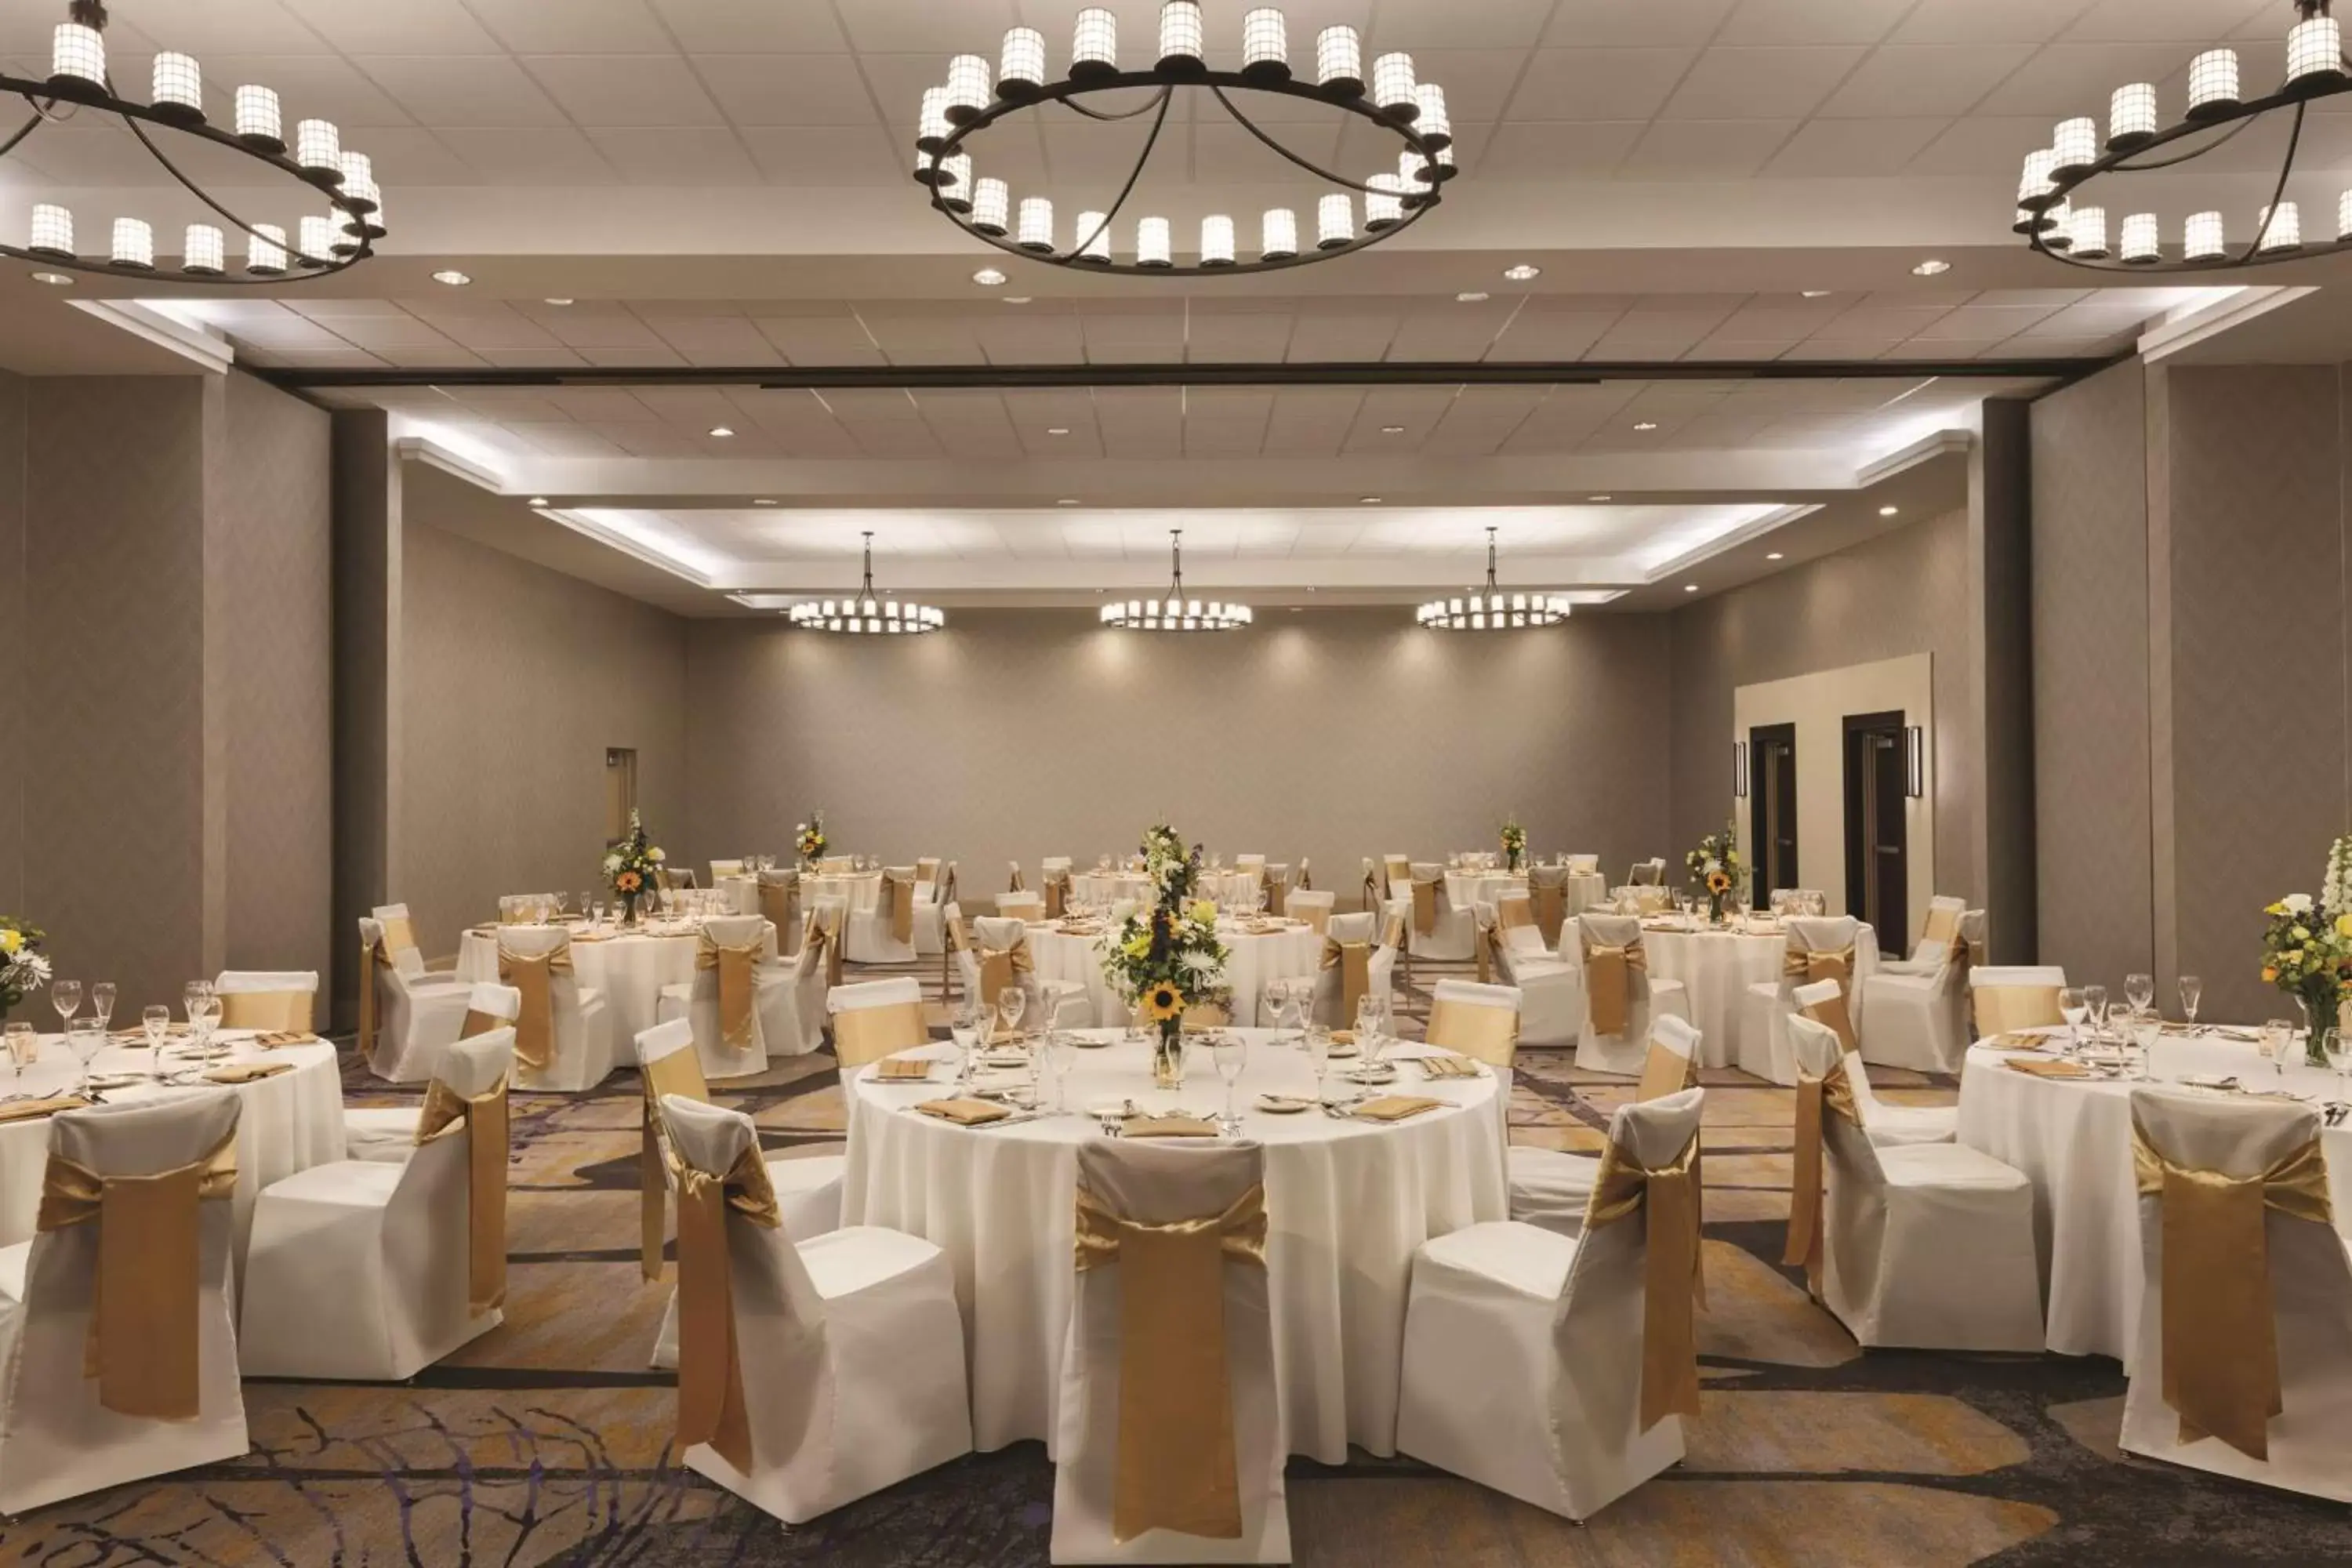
(817, 1372)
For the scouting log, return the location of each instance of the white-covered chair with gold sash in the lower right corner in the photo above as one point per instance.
(2250, 1381)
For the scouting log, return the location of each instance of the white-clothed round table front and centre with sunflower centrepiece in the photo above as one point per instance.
(1347, 1205)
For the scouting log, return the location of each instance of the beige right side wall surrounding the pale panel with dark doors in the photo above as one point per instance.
(1899, 594)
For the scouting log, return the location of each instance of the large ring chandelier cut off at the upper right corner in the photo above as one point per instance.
(2059, 222)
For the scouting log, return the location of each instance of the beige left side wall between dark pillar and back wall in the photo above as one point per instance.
(514, 683)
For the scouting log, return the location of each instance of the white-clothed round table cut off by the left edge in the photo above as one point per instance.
(288, 1123)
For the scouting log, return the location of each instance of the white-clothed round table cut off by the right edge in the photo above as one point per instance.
(2073, 1141)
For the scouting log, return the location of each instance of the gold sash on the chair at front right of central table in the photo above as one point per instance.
(1669, 1200)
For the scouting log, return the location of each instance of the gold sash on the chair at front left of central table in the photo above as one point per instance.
(709, 1369)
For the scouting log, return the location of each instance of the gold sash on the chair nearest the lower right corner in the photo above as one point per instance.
(2221, 1348)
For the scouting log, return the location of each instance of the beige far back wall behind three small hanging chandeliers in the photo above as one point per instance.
(1328, 735)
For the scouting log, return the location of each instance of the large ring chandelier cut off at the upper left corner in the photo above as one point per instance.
(79, 83)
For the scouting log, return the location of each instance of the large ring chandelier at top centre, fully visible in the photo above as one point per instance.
(980, 95)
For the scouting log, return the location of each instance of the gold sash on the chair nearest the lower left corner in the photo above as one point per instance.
(147, 1278)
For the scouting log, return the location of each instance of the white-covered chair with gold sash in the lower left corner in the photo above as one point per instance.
(65, 1428)
